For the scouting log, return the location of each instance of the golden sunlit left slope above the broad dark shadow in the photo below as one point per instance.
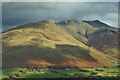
(45, 33)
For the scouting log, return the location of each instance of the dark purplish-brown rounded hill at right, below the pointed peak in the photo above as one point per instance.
(106, 41)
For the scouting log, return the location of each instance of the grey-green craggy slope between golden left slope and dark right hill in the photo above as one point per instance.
(79, 30)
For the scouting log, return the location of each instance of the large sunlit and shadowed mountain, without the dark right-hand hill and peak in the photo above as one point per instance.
(46, 43)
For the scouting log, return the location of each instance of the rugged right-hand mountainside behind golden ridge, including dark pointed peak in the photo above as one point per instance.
(94, 34)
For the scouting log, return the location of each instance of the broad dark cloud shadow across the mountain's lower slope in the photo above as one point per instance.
(18, 55)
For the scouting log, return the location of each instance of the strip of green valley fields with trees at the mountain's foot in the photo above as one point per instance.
(60, 73)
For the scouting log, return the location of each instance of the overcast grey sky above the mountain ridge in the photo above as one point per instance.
(17, 13)
